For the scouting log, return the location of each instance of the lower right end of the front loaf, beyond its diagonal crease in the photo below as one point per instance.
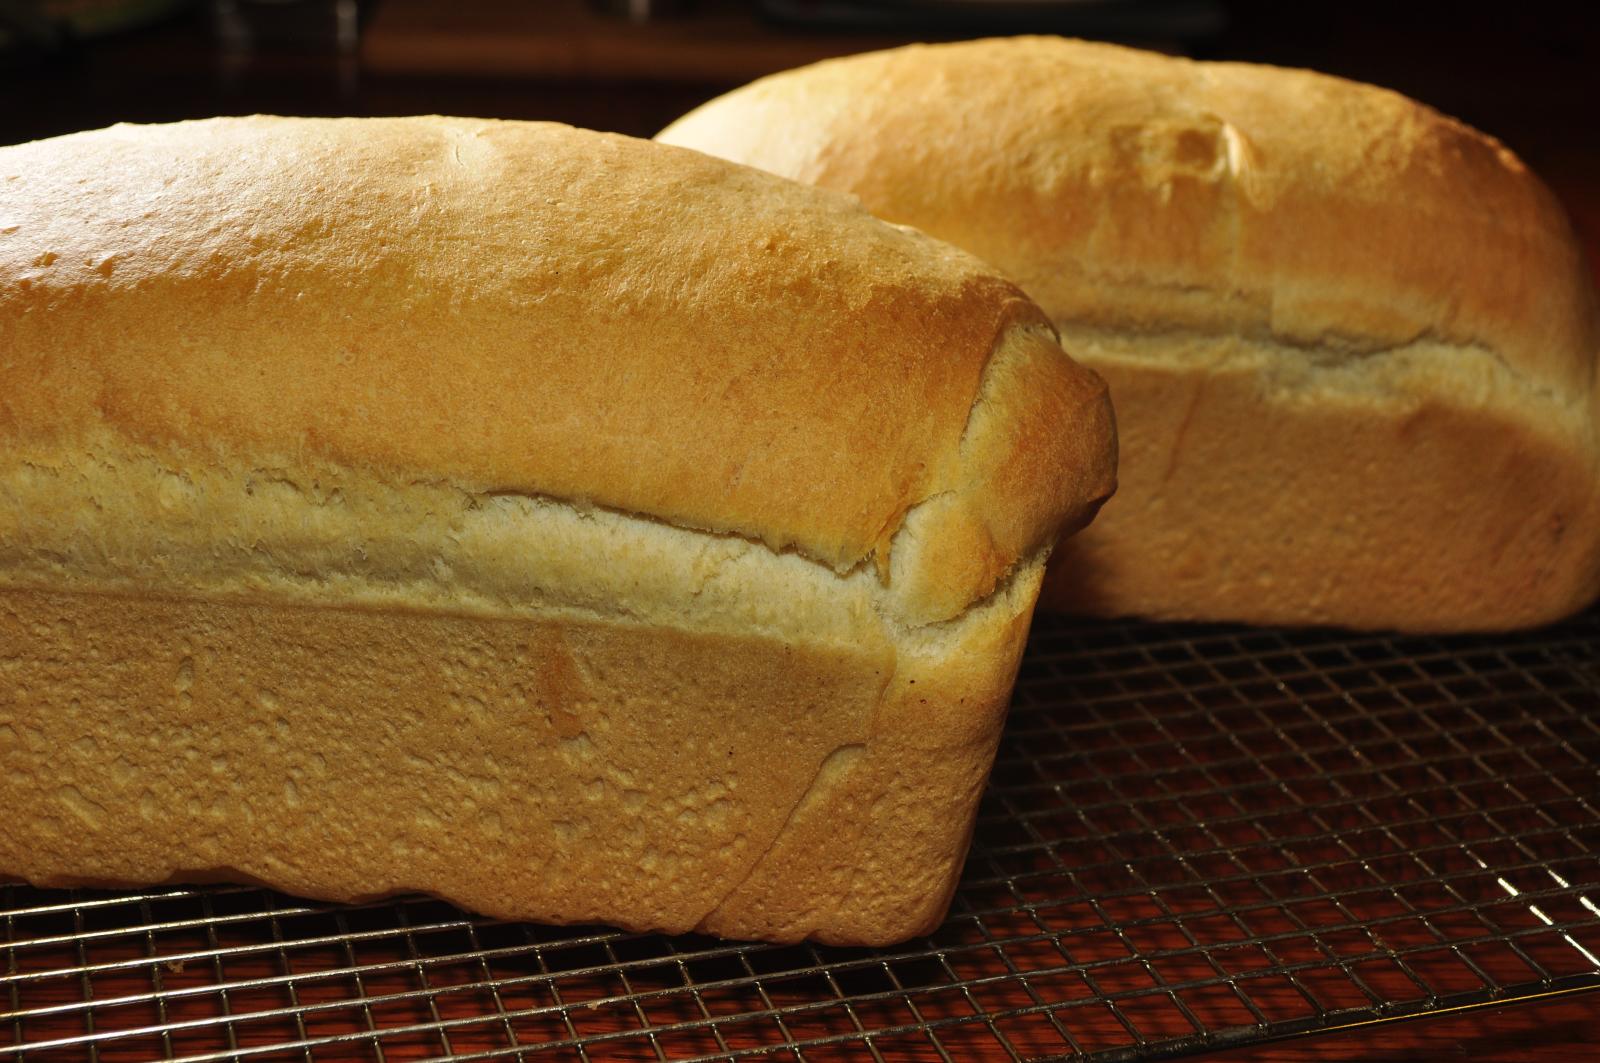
(874, 849)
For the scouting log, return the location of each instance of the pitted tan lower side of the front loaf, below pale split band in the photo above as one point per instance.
(553, 771)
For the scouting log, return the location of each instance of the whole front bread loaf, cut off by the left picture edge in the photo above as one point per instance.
(562, 524)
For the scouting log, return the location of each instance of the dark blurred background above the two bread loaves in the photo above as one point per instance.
(1527, 73)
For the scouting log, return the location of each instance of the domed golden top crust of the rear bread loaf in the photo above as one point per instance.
(1146, 193)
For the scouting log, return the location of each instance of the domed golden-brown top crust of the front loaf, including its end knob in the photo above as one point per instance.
(538, 311)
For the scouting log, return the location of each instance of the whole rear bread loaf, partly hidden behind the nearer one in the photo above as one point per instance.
(1351, 342)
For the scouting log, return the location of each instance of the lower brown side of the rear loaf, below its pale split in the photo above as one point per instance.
(1489, 523)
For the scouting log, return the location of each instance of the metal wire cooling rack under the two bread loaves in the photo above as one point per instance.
(1194, 838)
